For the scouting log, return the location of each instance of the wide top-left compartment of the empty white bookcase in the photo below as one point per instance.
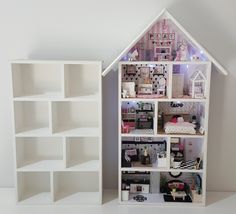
(36, 79)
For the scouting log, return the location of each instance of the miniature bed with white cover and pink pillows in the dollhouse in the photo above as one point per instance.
(179, 127)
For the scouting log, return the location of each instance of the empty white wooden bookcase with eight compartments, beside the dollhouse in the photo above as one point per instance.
(58, 135)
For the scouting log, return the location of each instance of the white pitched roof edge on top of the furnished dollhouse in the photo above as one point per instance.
(167, 15)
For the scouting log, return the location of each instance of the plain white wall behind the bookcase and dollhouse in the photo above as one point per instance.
(86, 29)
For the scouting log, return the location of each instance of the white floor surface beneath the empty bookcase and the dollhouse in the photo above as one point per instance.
(217, 203)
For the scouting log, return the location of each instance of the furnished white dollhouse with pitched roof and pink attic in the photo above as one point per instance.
(164, 84)
